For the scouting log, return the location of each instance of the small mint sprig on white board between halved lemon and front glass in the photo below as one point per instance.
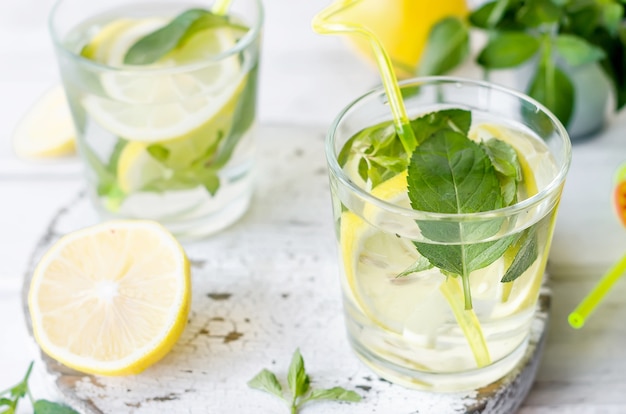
(300, 391)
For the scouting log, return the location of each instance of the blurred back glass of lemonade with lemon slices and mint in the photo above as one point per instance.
(163, 97)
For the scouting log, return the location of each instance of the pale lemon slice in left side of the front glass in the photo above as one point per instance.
(374, 259)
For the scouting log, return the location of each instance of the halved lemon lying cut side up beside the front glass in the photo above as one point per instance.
(111, 299)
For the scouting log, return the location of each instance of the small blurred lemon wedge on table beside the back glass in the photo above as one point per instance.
(47, 129)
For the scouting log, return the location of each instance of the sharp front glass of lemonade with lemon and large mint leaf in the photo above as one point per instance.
(443, 245)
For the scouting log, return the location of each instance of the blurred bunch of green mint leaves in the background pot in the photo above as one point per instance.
(544, 32)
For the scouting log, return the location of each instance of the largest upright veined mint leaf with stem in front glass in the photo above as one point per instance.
(451, 174)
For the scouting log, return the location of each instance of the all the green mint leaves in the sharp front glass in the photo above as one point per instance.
(452, 174)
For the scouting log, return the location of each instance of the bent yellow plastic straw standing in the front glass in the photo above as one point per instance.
(322, 24)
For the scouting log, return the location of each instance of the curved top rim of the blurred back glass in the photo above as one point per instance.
(252, 34)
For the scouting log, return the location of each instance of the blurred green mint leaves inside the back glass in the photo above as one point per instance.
(203, 169)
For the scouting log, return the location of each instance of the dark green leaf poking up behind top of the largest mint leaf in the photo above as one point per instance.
(425, 126)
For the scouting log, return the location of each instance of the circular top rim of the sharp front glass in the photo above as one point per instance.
(331, 155)
